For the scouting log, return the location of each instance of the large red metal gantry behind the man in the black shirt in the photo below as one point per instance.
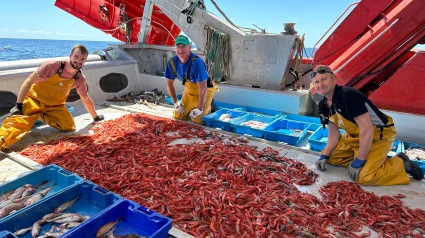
(371, 51)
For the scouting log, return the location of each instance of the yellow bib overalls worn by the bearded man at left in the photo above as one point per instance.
(46, 102)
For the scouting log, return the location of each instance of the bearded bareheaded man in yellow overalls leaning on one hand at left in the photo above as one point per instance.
(43, 96)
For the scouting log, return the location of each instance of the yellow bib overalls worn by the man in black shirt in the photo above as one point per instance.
(378, 170)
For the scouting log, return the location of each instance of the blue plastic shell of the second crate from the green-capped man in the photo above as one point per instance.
(243, 129)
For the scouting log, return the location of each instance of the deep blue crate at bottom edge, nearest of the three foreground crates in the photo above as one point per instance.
(123, 219)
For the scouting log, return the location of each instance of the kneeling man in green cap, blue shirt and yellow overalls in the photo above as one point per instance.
(198, 87)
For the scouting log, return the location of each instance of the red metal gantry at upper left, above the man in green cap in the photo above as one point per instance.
(122, 19)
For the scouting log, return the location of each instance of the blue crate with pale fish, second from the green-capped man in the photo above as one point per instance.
(251, 124)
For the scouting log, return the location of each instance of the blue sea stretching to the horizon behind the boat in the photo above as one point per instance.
(21, 49)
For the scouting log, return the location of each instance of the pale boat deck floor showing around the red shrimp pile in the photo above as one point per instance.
(10, 169)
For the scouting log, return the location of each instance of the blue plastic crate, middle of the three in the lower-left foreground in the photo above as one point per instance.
(92, 201)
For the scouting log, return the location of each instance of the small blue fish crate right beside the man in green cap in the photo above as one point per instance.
(222, 118)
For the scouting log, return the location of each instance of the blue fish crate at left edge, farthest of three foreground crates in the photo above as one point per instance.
(38, 182)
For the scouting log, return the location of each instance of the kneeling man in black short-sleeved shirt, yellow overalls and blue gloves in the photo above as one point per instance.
(369, 135)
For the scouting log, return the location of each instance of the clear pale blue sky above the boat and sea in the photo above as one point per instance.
(42, 20)
